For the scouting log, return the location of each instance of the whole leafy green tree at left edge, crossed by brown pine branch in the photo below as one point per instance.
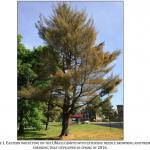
(29, 112)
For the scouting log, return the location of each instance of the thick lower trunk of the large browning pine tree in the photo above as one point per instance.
(65, 124)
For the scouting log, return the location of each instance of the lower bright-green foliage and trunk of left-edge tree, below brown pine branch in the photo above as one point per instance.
(30, 114)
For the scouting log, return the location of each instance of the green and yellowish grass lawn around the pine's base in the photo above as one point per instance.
(77, 132)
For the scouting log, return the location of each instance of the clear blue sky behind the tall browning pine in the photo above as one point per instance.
(108, 21)
